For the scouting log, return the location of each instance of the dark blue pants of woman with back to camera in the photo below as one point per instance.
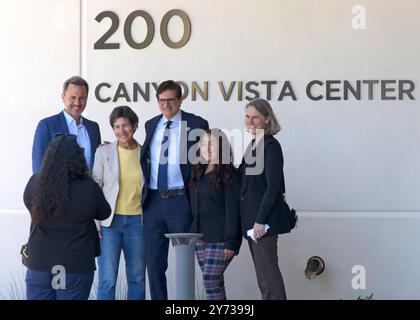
(39, 286)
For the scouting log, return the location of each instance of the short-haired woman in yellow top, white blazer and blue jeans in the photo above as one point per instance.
(117, 171)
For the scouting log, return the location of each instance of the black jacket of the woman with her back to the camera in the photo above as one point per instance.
(68, 239)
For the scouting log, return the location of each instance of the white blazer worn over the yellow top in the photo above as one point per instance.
(106, 172)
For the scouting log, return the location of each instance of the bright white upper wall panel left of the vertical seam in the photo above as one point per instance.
(40, 49)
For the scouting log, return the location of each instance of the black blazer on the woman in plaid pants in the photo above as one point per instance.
(216, 213)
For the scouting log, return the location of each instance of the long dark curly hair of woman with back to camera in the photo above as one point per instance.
(63, 162)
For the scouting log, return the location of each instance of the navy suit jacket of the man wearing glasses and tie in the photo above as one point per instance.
(193, 122)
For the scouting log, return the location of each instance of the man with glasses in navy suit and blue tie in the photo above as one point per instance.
(166, 167)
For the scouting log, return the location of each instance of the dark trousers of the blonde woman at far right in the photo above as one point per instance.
(270, 280)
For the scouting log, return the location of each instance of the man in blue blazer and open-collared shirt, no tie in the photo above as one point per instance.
(69, 121)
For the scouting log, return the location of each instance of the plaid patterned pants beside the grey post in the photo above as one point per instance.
(213, 265)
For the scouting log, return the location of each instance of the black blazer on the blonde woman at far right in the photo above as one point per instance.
(262, 195)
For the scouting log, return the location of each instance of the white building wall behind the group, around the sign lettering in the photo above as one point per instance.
(351, 166)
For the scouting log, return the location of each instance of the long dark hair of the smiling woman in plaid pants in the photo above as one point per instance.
(221, 174)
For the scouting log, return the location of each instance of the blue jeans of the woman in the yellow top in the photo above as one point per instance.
(126, 234)
